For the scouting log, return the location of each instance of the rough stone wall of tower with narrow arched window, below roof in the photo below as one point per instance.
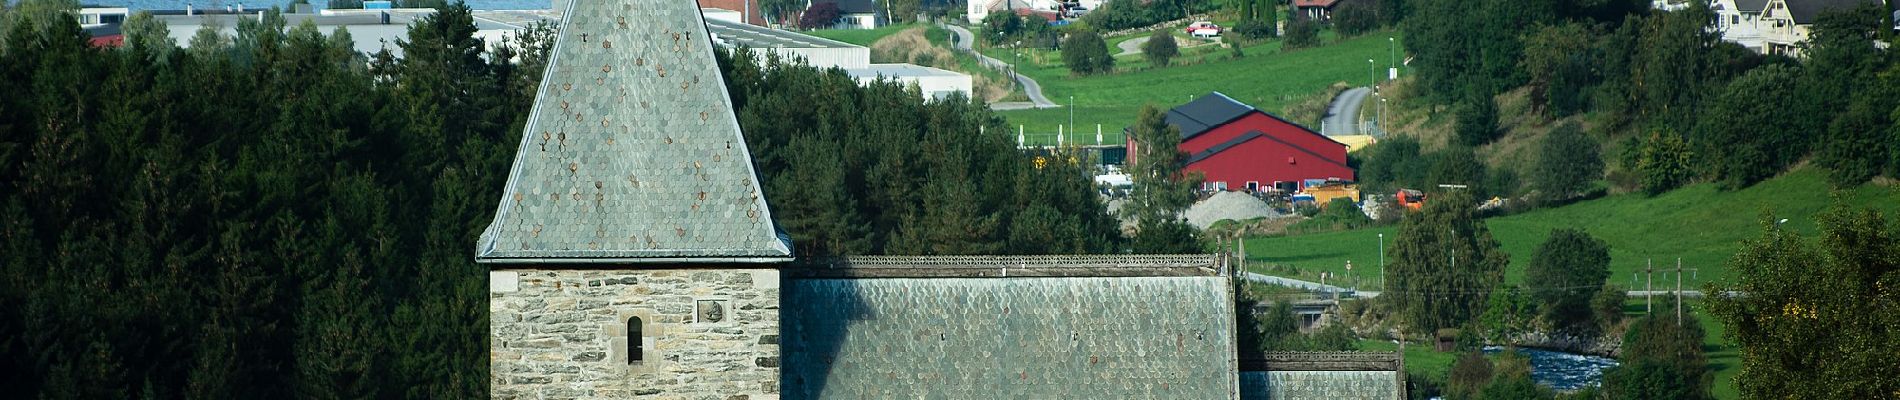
(706, 335)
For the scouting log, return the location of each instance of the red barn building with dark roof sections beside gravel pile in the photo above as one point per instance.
(1238, 147)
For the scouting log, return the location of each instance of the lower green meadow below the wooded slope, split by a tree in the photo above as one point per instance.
(1698, 225)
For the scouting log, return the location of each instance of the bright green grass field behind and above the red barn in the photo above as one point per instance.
(1266, 79)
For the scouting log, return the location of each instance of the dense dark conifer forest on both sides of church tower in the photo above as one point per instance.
(275, 215)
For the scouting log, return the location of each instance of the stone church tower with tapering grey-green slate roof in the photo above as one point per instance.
(634, 253)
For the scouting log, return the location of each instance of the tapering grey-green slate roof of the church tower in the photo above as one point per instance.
(632, 153)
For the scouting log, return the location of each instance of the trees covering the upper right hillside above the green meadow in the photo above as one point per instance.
(1660, 92)
